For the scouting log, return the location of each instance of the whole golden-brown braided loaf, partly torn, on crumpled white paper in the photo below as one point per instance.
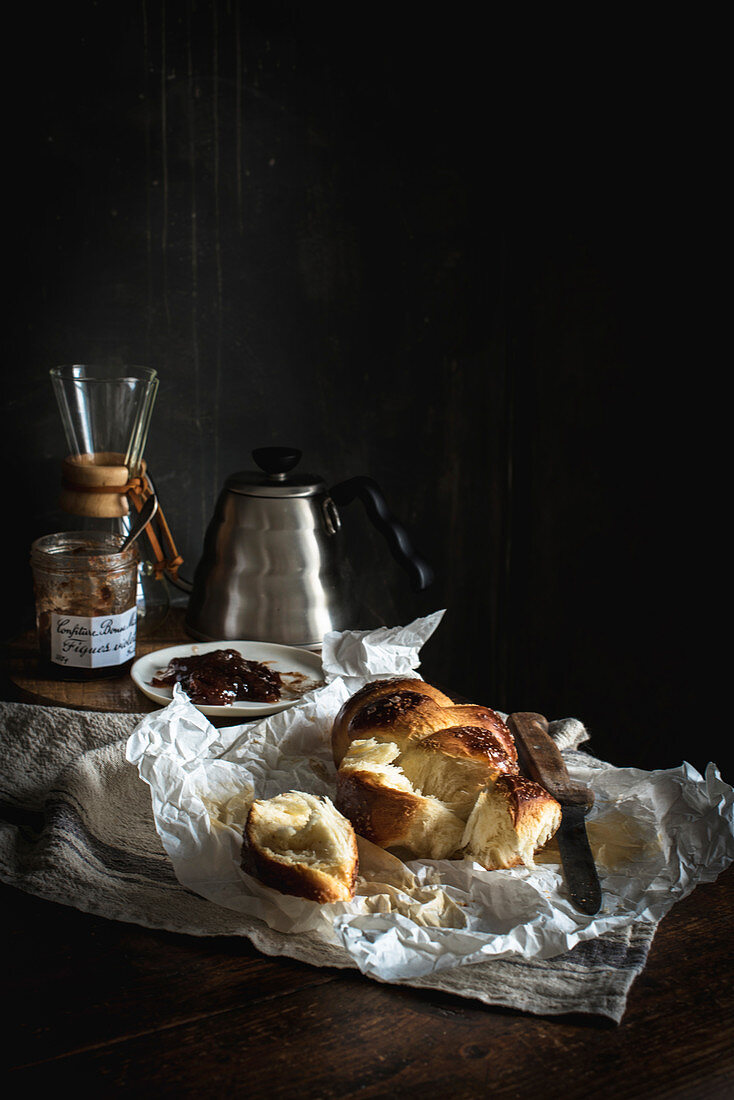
(431, 779)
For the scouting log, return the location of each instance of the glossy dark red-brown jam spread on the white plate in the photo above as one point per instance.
(222, 677)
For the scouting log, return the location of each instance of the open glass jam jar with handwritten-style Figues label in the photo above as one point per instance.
(86, 609)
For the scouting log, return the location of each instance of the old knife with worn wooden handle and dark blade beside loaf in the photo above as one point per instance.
(541, 760)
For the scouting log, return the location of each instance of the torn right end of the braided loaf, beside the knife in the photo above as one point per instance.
(512, 819)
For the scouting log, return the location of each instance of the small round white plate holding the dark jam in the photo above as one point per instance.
(301, 670)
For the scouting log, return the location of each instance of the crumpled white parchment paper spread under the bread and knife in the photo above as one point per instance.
(655, 835)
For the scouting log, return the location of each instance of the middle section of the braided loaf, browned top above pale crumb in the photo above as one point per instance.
(456, 764)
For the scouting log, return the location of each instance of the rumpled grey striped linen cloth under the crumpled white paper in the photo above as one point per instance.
(76, 828)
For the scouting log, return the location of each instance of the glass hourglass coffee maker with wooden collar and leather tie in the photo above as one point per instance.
(106, 413)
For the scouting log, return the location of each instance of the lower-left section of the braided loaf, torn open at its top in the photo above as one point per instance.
(385, 808)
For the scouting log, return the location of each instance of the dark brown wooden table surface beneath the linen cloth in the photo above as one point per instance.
(112, 1008)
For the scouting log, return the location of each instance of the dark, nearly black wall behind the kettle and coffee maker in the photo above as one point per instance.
(475, 261)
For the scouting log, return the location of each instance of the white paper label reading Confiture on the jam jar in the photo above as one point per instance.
(94, 643)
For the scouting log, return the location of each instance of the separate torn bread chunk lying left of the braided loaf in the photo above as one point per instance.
(301, 845)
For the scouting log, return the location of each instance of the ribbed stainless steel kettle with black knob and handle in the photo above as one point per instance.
(273, 567)
